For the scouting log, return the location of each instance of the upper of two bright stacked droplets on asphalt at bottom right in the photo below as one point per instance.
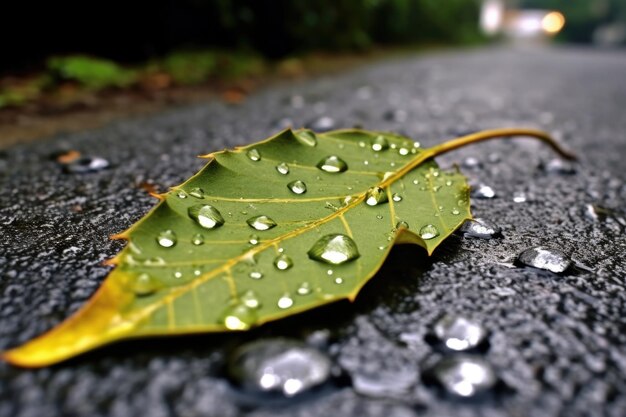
(459, 333)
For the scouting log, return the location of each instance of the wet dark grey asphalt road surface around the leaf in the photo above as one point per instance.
(550, 344)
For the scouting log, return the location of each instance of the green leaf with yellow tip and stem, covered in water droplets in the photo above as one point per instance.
(268, 230)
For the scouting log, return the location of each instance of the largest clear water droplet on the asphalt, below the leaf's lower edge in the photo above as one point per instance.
(282, 365)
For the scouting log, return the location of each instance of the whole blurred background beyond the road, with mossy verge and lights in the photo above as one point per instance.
(117, 56)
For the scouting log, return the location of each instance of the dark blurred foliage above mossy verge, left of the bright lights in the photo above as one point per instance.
(132, 31)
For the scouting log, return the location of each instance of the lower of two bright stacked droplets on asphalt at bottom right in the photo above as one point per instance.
(465, 375)
